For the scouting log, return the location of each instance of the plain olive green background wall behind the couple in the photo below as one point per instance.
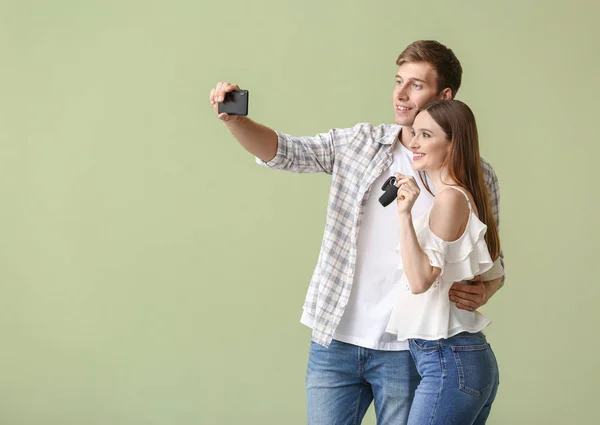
(151, 273)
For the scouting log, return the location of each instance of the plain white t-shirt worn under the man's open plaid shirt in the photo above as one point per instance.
(377, 276)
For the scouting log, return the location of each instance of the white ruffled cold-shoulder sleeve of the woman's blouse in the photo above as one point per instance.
(459, 260)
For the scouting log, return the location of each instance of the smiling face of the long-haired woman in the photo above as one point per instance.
(430, 145)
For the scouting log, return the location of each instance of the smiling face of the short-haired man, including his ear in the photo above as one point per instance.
(415, 87)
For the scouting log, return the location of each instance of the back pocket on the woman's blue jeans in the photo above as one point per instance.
(476, 368)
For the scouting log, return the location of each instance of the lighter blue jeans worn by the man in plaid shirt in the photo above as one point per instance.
(343, 380)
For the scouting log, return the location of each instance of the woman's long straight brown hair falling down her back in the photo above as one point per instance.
(463, 161)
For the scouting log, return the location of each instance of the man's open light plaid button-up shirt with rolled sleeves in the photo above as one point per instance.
(354, 157)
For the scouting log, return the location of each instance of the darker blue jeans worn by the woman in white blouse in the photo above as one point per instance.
(459, 380)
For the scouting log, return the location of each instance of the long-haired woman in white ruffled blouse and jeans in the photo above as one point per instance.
(454, 241)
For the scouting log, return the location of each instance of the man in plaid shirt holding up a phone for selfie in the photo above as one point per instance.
(352, 361)
